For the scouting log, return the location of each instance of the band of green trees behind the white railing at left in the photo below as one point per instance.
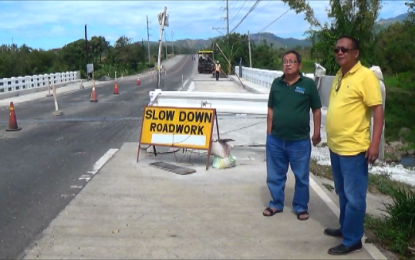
(126, 57)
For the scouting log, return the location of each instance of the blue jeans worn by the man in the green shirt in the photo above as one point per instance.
(280, 154)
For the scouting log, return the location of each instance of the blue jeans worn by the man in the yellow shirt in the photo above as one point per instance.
(350, 174)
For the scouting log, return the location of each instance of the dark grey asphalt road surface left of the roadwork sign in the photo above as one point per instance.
(41, 165)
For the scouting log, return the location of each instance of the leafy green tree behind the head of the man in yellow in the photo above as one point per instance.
(349, 17)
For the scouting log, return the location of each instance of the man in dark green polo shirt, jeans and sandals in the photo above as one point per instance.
(288, 135)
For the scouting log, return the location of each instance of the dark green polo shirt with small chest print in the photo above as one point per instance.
(291, 106)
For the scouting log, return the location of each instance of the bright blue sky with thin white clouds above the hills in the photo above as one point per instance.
(52, 24)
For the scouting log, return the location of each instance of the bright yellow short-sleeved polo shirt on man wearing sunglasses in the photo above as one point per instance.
(349, 110)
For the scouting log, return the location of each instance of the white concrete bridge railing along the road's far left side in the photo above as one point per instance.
(37, 81)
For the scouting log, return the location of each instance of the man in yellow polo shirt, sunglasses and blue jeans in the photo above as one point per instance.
(354, 95)
